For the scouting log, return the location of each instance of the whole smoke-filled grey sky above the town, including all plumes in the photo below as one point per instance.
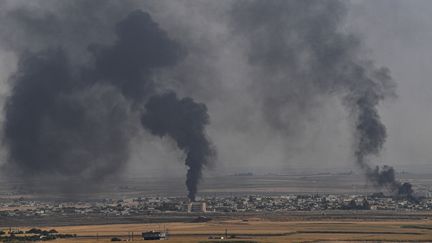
(104, 90)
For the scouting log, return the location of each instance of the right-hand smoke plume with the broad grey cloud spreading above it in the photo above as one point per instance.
(301, 53)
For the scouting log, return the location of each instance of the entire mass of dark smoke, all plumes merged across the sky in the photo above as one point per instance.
(72, 104)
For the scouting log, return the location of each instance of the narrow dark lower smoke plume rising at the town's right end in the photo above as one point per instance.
(371, 134)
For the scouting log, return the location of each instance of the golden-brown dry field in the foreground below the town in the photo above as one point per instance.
(257, 230)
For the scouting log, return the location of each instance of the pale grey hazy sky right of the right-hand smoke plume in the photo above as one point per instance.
(398, 34)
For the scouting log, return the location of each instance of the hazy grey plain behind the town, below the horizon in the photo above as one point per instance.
(225, 185)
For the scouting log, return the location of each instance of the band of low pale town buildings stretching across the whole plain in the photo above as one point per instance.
(225, 204)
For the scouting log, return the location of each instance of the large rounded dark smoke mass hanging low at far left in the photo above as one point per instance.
(54, 128)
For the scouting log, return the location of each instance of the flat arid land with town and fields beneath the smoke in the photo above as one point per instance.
(275, 223)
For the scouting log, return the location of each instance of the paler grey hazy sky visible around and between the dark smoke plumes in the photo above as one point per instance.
(394, 33)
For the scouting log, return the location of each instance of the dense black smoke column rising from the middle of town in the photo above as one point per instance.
(184, 121)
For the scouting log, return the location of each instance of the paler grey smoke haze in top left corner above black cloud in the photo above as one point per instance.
(41, 24)
